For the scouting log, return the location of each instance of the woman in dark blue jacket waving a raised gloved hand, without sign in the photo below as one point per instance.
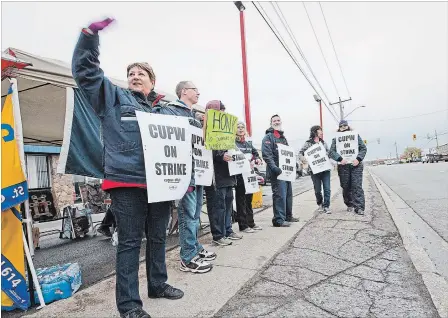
(124, 168)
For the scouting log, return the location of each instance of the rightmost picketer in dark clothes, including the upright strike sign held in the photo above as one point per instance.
(350, 144)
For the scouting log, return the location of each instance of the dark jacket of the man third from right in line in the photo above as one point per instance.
(269, 150)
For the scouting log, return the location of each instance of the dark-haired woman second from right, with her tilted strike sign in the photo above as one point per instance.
(316, 152)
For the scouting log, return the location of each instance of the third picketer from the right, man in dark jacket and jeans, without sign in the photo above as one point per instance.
(281, 190)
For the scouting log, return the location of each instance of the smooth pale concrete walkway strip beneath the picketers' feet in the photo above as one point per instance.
(206, 293)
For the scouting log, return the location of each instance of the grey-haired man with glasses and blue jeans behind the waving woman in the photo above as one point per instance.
(194, 258)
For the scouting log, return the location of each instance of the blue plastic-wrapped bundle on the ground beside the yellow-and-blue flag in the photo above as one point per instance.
(59, 281)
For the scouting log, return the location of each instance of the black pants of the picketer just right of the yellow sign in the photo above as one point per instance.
(244, 212)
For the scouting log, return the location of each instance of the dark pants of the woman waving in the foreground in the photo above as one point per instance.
(133, 212)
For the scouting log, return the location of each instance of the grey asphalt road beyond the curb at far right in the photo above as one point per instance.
(424, 189)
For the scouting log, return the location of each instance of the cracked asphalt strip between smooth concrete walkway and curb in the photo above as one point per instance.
(340, 265)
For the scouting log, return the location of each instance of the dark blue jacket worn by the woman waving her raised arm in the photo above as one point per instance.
(122, 150)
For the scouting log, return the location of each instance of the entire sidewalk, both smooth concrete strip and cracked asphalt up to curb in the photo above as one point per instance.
(339, 264)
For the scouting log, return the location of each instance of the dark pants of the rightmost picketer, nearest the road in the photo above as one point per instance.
(350, 178)
